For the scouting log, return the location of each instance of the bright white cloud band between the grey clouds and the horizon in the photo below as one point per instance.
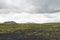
(30, 18)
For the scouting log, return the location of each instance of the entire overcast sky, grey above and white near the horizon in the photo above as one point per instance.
(37, 11)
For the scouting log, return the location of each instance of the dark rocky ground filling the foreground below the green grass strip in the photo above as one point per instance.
(32, 34)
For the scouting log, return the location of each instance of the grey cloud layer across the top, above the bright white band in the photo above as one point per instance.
(35, 6)
